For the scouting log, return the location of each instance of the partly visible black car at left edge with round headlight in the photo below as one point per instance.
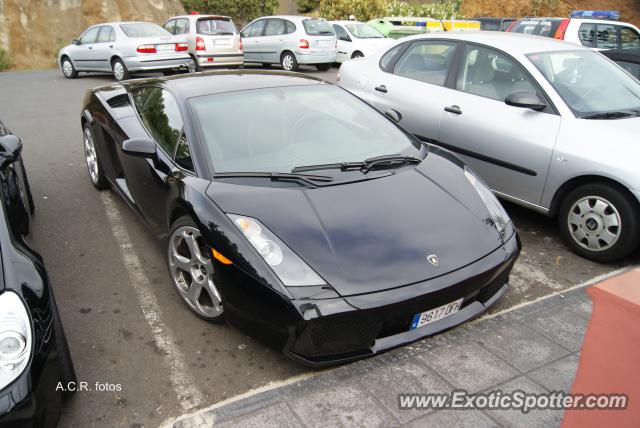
(36, 371)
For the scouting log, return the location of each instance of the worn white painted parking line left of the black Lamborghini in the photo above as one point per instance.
(189, 396)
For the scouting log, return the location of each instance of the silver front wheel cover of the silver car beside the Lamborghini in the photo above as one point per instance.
(594, 223)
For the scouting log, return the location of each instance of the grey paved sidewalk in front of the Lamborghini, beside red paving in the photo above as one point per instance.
(534, 348)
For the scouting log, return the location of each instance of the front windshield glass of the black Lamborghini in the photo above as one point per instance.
(278, 129)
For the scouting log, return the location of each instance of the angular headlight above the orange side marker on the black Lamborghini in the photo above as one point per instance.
(290, 268)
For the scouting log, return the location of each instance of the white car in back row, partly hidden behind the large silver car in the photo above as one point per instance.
(357, 39)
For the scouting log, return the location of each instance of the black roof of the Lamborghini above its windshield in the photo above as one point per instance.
(215, 82)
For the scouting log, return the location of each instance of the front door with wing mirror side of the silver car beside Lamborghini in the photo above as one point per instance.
(509, 147)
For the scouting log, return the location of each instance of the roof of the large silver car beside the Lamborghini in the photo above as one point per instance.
(509, 42)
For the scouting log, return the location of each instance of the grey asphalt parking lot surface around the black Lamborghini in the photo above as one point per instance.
(125, 323)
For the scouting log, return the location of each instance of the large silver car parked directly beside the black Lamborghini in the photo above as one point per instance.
(548, 125)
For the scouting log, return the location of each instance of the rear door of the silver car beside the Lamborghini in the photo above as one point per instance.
(411, 79)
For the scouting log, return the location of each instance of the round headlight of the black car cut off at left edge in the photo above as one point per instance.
(15, 337)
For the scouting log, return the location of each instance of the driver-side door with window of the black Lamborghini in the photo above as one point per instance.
(147, 179)
